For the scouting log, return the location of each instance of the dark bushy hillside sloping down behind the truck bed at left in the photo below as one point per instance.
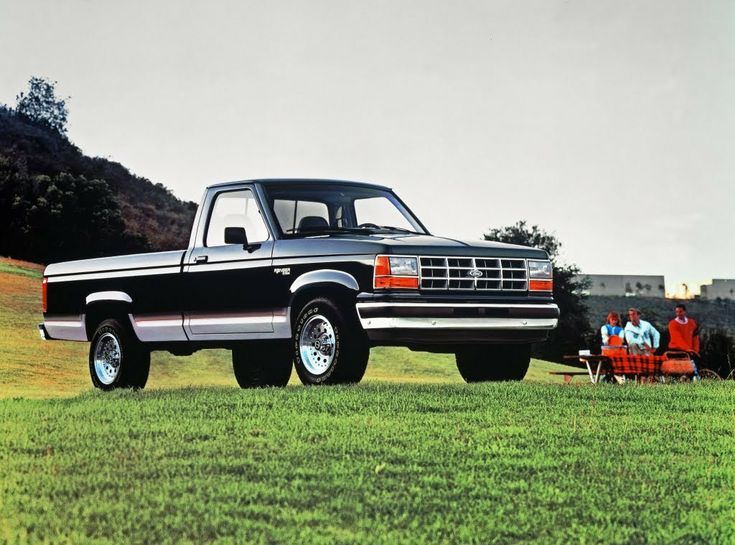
(43, 182)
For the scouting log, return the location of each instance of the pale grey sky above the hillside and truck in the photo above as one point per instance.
(610, 124)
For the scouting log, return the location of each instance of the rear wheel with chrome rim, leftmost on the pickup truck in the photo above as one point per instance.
(116, 358)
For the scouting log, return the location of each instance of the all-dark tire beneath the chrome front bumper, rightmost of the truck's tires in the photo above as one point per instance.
(493, 363)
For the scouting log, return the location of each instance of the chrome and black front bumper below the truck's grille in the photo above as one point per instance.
(452, 323)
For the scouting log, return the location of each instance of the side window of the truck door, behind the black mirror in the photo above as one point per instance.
(235, 209)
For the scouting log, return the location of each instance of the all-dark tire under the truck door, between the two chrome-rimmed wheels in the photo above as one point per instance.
(262, 364)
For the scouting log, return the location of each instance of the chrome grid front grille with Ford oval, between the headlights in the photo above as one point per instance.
(473, 273)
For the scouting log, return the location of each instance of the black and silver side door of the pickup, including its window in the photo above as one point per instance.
(227, 292)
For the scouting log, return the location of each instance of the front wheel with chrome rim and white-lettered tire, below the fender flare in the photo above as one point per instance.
(349, 352)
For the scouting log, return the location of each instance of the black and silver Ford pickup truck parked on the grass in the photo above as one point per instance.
(304, 273)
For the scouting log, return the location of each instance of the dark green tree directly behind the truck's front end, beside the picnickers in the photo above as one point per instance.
(573, 331)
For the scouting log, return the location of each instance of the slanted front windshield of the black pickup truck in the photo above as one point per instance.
(310, 208)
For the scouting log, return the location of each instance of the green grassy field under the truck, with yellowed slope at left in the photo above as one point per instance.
(412, 455)
